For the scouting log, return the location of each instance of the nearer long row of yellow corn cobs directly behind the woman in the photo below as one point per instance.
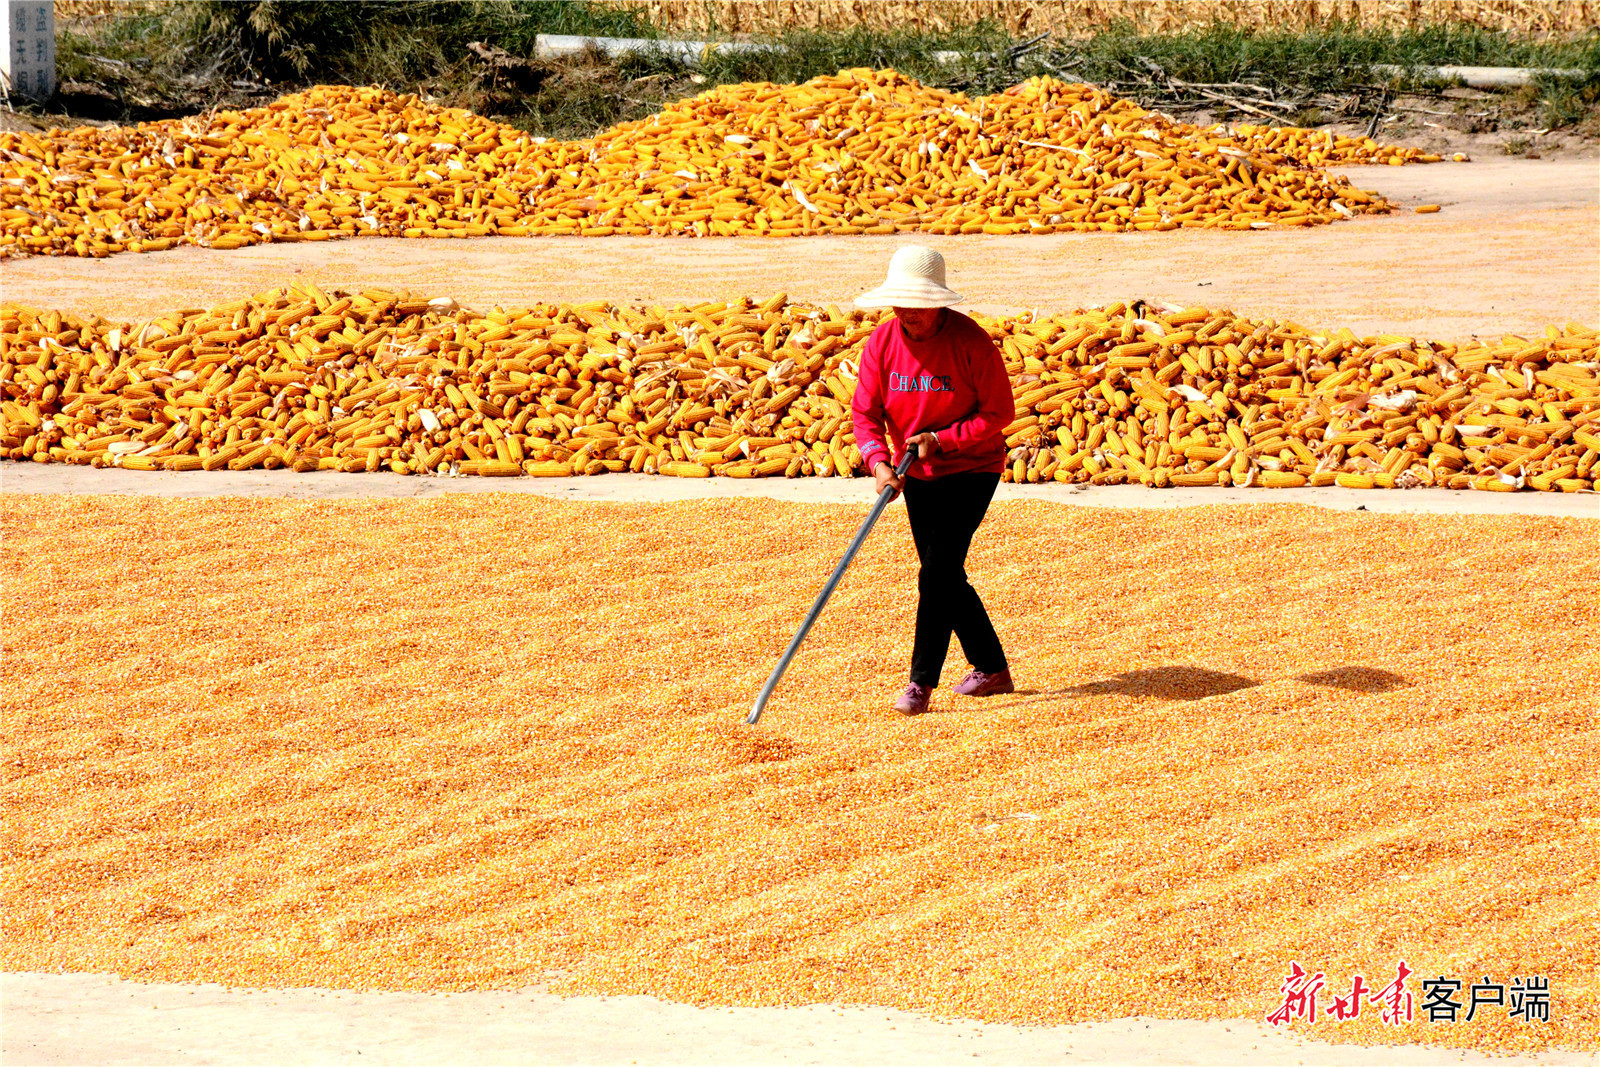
(1151, 394)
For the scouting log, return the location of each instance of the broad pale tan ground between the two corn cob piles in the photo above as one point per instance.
(1513, 250)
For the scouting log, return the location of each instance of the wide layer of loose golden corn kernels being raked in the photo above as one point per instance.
(463, 743)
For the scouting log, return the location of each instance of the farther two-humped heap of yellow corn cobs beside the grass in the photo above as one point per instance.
(863, 151)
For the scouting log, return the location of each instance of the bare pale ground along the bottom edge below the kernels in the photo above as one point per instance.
(98, 1020)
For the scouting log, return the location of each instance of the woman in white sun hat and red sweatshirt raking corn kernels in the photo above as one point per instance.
(932, 380)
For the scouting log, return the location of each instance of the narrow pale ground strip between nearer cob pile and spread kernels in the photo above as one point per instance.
(18, 478)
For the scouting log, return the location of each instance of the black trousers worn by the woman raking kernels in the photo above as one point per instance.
(945, 516)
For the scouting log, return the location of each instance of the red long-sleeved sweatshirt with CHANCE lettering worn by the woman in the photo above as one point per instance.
(954, 385)
